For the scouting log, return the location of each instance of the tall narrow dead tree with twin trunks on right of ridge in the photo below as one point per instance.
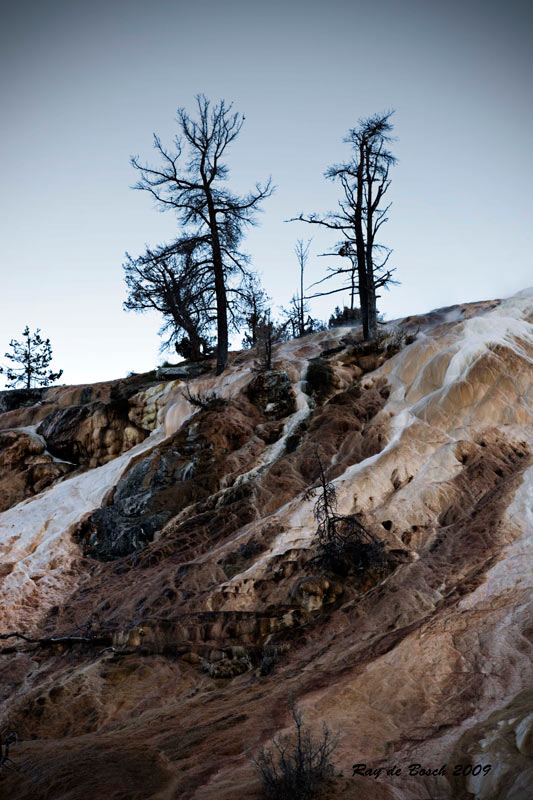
(364, 181)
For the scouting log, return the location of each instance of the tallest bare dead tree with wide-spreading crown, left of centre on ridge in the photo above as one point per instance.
(191, 182)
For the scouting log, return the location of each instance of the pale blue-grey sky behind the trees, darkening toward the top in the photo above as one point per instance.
(85, 85)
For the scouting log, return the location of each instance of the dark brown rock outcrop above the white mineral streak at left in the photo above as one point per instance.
(47, 433)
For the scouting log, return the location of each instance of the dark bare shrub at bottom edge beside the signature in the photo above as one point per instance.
(296, 766)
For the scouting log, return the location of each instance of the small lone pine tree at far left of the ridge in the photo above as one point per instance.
(34, 355)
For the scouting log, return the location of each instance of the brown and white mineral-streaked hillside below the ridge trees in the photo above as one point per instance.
(172, 548)
